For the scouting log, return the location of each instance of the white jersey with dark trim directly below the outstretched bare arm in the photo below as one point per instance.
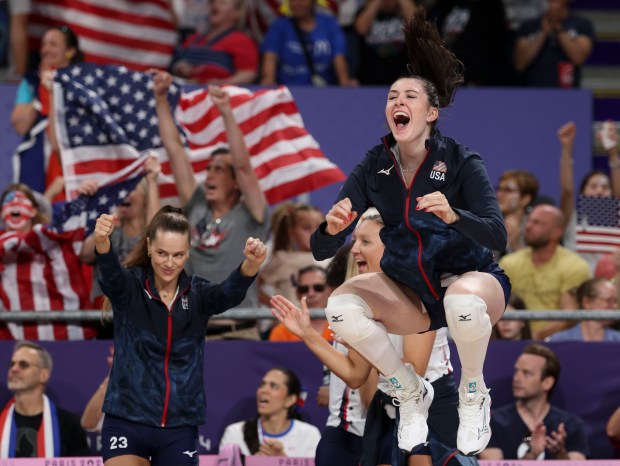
(346, 410)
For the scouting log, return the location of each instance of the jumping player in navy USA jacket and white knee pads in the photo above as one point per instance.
(442, 222)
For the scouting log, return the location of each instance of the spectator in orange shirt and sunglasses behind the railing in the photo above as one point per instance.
(311, 284)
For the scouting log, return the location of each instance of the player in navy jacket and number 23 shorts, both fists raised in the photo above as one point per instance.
(155, 398)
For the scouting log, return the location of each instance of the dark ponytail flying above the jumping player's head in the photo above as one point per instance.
(430, 61)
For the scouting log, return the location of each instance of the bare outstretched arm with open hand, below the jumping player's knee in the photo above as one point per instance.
(351, 368)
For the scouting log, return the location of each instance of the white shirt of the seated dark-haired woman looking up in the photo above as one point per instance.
(299, 440)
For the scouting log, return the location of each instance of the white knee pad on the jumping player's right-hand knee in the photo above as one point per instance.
(467, 317)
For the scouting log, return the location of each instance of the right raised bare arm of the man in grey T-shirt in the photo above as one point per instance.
(252, 194)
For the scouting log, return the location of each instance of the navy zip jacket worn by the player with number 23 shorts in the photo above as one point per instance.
(157, 375)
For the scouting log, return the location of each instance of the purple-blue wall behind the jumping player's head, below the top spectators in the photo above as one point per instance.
(511, 128)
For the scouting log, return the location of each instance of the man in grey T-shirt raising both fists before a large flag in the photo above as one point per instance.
(224, 210)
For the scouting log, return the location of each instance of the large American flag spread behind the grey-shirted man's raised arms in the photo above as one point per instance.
(106, 120)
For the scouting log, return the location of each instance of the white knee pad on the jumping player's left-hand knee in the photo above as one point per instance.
(350, 317)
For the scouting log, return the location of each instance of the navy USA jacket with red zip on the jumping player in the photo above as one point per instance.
(419, 246)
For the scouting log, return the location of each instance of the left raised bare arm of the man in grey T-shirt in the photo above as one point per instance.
(179, 161)
